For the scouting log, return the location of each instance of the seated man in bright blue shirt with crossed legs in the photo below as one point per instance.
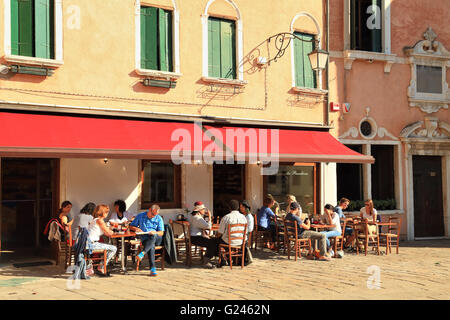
(151, 223)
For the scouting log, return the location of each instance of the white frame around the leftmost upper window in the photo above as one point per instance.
(58, 60)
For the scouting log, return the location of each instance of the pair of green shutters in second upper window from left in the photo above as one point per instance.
(156, 39)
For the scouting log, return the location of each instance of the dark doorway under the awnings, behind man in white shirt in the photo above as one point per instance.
(229, 183)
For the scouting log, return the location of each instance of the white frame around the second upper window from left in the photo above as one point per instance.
(175, 42)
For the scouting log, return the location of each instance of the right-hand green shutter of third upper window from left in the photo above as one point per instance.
(227, 50)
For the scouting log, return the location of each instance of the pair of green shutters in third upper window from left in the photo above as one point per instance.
(221, 48)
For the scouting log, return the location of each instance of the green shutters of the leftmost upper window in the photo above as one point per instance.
(32, 28)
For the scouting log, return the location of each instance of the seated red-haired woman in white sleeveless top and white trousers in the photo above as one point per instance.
(97, 227)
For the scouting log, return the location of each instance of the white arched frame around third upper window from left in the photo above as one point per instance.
(239, 42)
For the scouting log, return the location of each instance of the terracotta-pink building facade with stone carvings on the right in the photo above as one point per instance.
(389, 62)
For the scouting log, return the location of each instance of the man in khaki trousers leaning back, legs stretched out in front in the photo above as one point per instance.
(304, 232)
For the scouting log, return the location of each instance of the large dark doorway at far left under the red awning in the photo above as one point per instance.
(28, 188)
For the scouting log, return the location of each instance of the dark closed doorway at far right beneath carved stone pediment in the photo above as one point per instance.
(428, 197)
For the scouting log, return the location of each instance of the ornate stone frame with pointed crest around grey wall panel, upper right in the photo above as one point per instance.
(428, 52)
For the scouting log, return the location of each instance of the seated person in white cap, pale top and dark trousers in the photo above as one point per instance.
(199, 236)
